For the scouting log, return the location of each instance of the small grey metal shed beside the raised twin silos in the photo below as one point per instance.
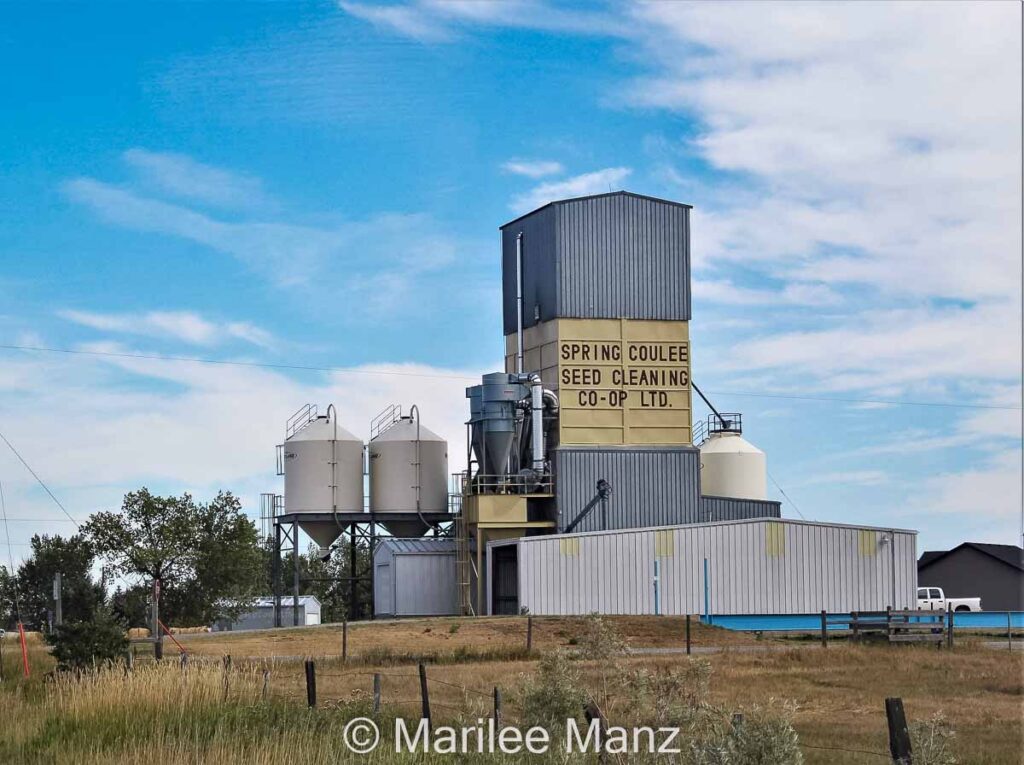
(416, 578)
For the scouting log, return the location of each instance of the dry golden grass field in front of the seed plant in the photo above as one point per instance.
(154, 713)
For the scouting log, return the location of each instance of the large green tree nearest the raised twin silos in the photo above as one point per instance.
(207, 557)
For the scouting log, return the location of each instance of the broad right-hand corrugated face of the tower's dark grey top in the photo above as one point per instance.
(623, 258)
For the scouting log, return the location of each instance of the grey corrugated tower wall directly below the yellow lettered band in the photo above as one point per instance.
(651, 487)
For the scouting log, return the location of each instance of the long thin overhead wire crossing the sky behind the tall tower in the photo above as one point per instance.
(464, 378)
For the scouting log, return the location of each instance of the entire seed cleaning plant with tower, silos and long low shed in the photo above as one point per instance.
(589, 486)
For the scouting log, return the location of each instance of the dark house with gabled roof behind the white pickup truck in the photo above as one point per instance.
(994, 573)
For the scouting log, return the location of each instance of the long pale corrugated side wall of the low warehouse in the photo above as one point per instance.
(758, 567)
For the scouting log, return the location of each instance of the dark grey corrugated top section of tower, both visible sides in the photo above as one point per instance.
(609, 257)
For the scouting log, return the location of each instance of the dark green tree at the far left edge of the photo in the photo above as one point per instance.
(75, 560)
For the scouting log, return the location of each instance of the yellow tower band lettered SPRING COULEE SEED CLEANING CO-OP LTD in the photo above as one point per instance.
(620, 381)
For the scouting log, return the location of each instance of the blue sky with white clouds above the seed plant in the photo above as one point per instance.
(322, 185)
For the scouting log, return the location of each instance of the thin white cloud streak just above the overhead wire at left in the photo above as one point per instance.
(185, 326)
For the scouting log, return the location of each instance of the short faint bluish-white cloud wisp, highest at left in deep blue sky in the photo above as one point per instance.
(183, 177)
